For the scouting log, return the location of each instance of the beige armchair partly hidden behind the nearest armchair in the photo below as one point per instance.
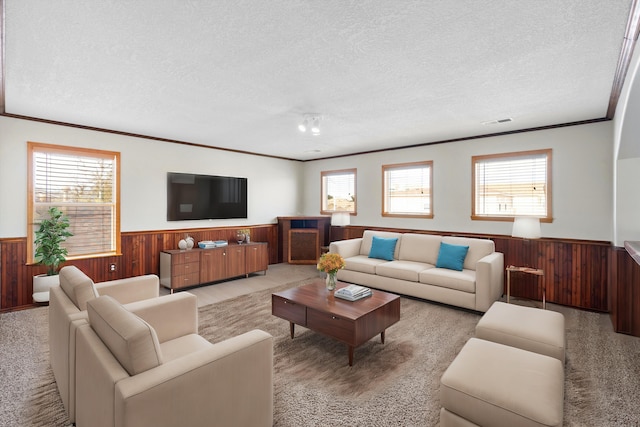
(67, 309)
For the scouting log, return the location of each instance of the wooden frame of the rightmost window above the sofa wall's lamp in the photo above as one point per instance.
(547, 152)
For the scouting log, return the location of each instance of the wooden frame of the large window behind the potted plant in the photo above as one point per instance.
(32, 226)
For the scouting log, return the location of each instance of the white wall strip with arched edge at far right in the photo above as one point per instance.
(627, 158)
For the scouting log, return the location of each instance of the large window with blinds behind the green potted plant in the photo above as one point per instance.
(85, 185)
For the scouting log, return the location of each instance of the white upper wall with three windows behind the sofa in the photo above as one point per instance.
(581, 173)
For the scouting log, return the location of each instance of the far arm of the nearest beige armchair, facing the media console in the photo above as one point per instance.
(171, 316)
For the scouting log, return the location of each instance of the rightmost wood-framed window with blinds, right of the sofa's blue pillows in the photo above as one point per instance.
(512, 184)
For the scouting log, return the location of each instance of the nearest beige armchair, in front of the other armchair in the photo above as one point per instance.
(149, 367)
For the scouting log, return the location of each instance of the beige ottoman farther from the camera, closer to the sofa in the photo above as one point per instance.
(533, 329)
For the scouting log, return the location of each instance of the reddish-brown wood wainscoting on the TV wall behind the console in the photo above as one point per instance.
(140, 255)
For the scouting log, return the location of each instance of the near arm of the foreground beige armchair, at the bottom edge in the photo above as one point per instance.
(230, 383)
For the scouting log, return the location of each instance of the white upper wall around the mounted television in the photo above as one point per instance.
(274, 185)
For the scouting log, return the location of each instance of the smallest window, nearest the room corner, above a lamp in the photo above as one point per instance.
(338, 191)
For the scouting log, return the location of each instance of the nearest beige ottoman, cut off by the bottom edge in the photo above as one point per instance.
(490, 384)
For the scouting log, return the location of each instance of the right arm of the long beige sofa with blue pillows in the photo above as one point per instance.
(489, 280)
